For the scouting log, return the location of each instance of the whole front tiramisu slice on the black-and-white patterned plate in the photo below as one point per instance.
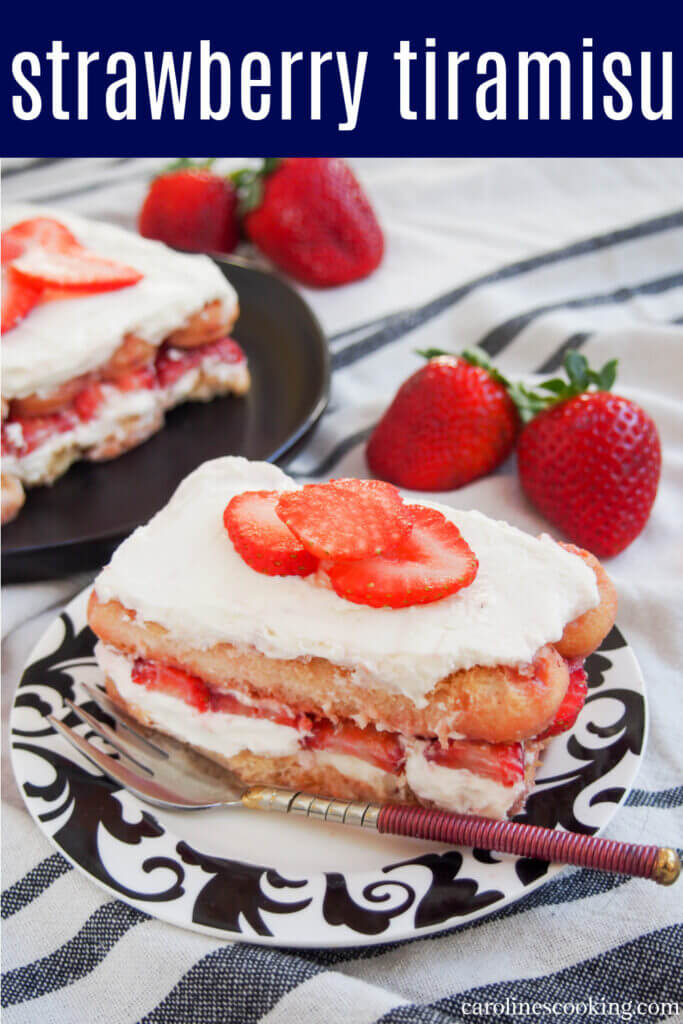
(335, 638)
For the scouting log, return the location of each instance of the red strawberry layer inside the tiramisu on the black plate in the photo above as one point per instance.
(21, 436)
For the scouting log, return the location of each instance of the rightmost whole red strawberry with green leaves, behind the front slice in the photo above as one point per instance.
(591, 461)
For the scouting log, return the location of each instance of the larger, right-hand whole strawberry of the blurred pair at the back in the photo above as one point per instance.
(312, 219)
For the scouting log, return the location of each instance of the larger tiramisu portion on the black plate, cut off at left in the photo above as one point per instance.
(103, 331)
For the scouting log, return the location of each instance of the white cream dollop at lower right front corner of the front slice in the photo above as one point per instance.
(458, 789)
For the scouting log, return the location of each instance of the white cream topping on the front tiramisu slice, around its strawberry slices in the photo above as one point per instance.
(182, 571)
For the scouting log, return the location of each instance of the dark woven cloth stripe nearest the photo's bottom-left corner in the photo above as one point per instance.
(75, 959)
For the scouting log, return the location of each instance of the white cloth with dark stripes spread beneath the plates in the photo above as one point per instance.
(526, 259)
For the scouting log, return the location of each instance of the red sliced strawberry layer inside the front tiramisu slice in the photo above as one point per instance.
(502, 763)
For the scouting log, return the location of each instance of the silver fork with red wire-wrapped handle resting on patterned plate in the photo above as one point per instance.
(164, 773)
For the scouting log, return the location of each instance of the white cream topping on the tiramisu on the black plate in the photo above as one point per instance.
(62, 340)
